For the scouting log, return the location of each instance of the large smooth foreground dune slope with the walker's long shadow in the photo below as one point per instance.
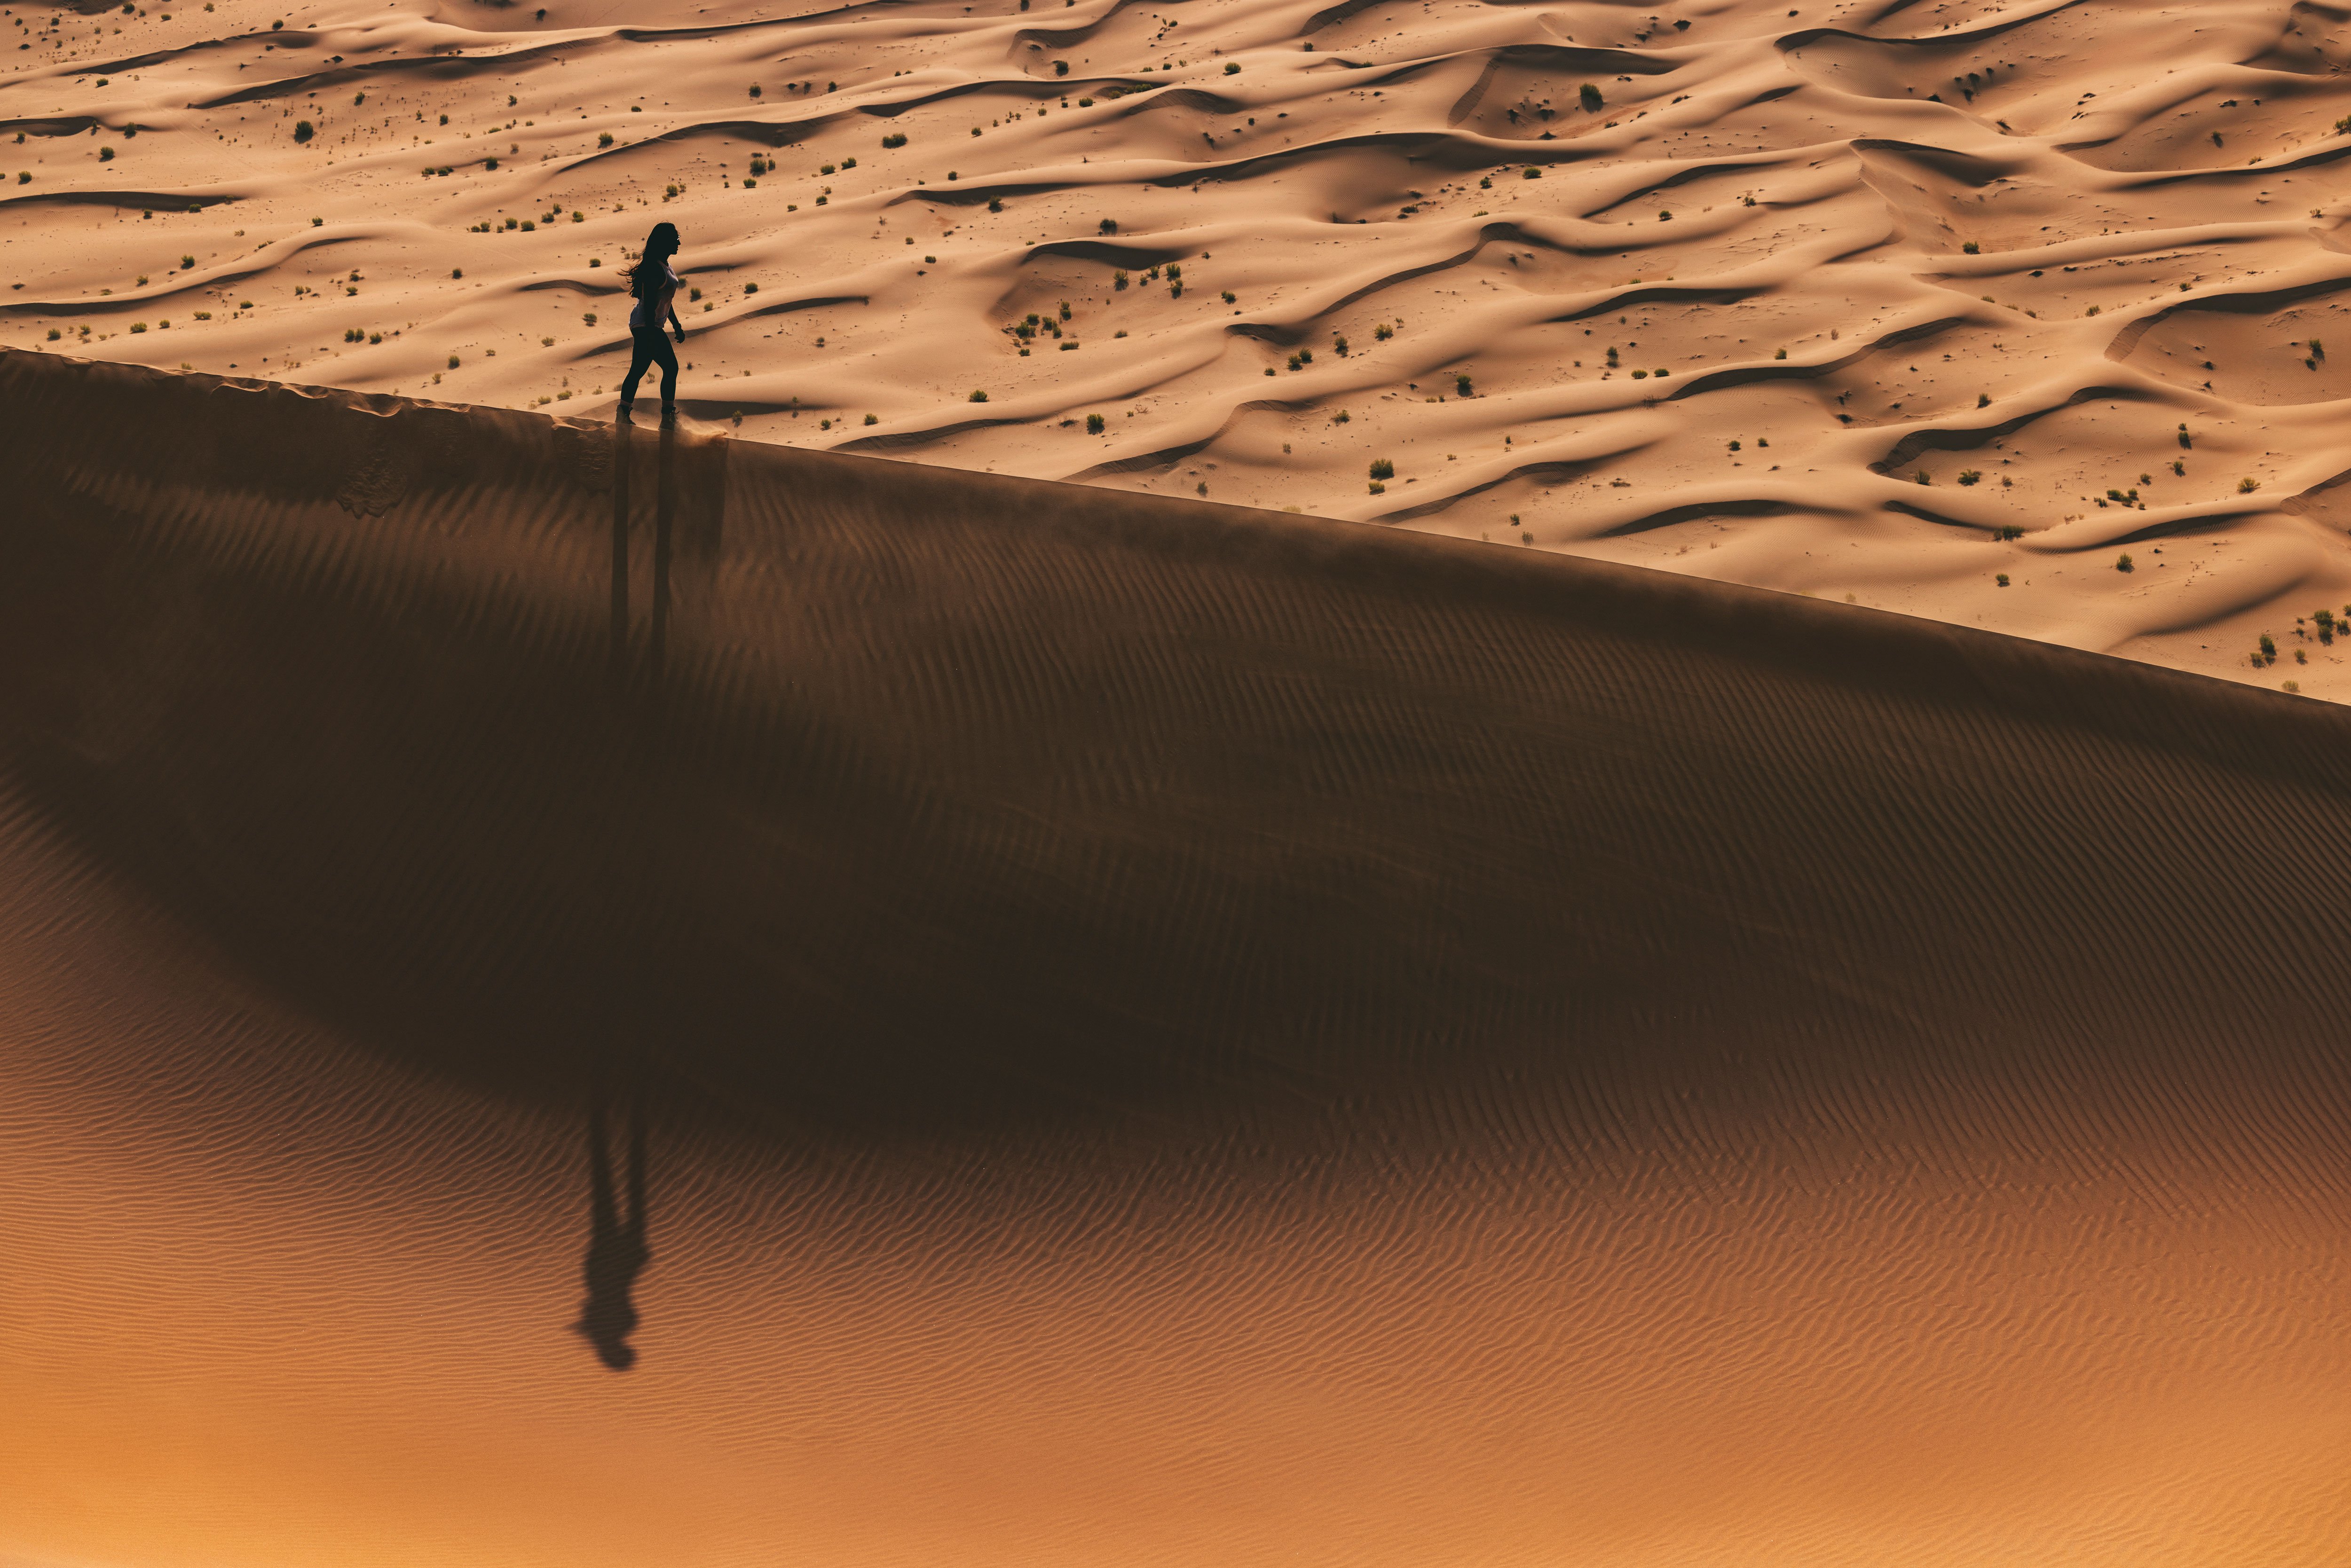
(1144, 1033)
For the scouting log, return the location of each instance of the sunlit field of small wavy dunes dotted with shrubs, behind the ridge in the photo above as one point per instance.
(1901, 297)
